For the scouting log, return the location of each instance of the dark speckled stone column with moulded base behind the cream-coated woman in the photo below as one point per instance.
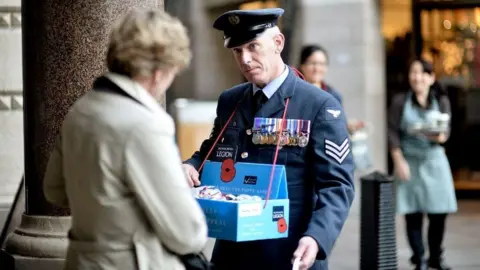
(64, 45)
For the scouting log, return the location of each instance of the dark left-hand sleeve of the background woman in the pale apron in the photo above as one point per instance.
(394, 119)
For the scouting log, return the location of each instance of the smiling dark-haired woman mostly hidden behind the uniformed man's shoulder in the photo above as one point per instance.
(314, 66)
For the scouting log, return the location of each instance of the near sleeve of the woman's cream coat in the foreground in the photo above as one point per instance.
(154, 172)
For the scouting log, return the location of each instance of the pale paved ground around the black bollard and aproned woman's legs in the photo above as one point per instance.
(462, 240)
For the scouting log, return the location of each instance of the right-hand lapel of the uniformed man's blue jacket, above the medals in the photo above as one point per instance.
(277, 102)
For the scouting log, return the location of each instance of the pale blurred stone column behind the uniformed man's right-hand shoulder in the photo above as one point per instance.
(350, 31)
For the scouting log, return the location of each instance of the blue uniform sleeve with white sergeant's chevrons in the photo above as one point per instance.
(333, 169)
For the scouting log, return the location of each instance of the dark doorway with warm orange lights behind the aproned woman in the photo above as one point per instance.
(448, 34)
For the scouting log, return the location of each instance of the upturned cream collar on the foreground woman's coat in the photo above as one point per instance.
(135, 90)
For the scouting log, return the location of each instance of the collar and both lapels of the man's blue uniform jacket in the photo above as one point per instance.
(275, 104)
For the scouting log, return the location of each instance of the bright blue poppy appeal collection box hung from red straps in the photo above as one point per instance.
(246, 220)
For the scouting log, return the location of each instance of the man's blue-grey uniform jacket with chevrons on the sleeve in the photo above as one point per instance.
(319, 176)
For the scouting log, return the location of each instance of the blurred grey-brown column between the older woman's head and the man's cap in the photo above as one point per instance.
(213, 68)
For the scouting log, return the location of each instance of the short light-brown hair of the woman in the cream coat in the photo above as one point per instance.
(144, 41)
